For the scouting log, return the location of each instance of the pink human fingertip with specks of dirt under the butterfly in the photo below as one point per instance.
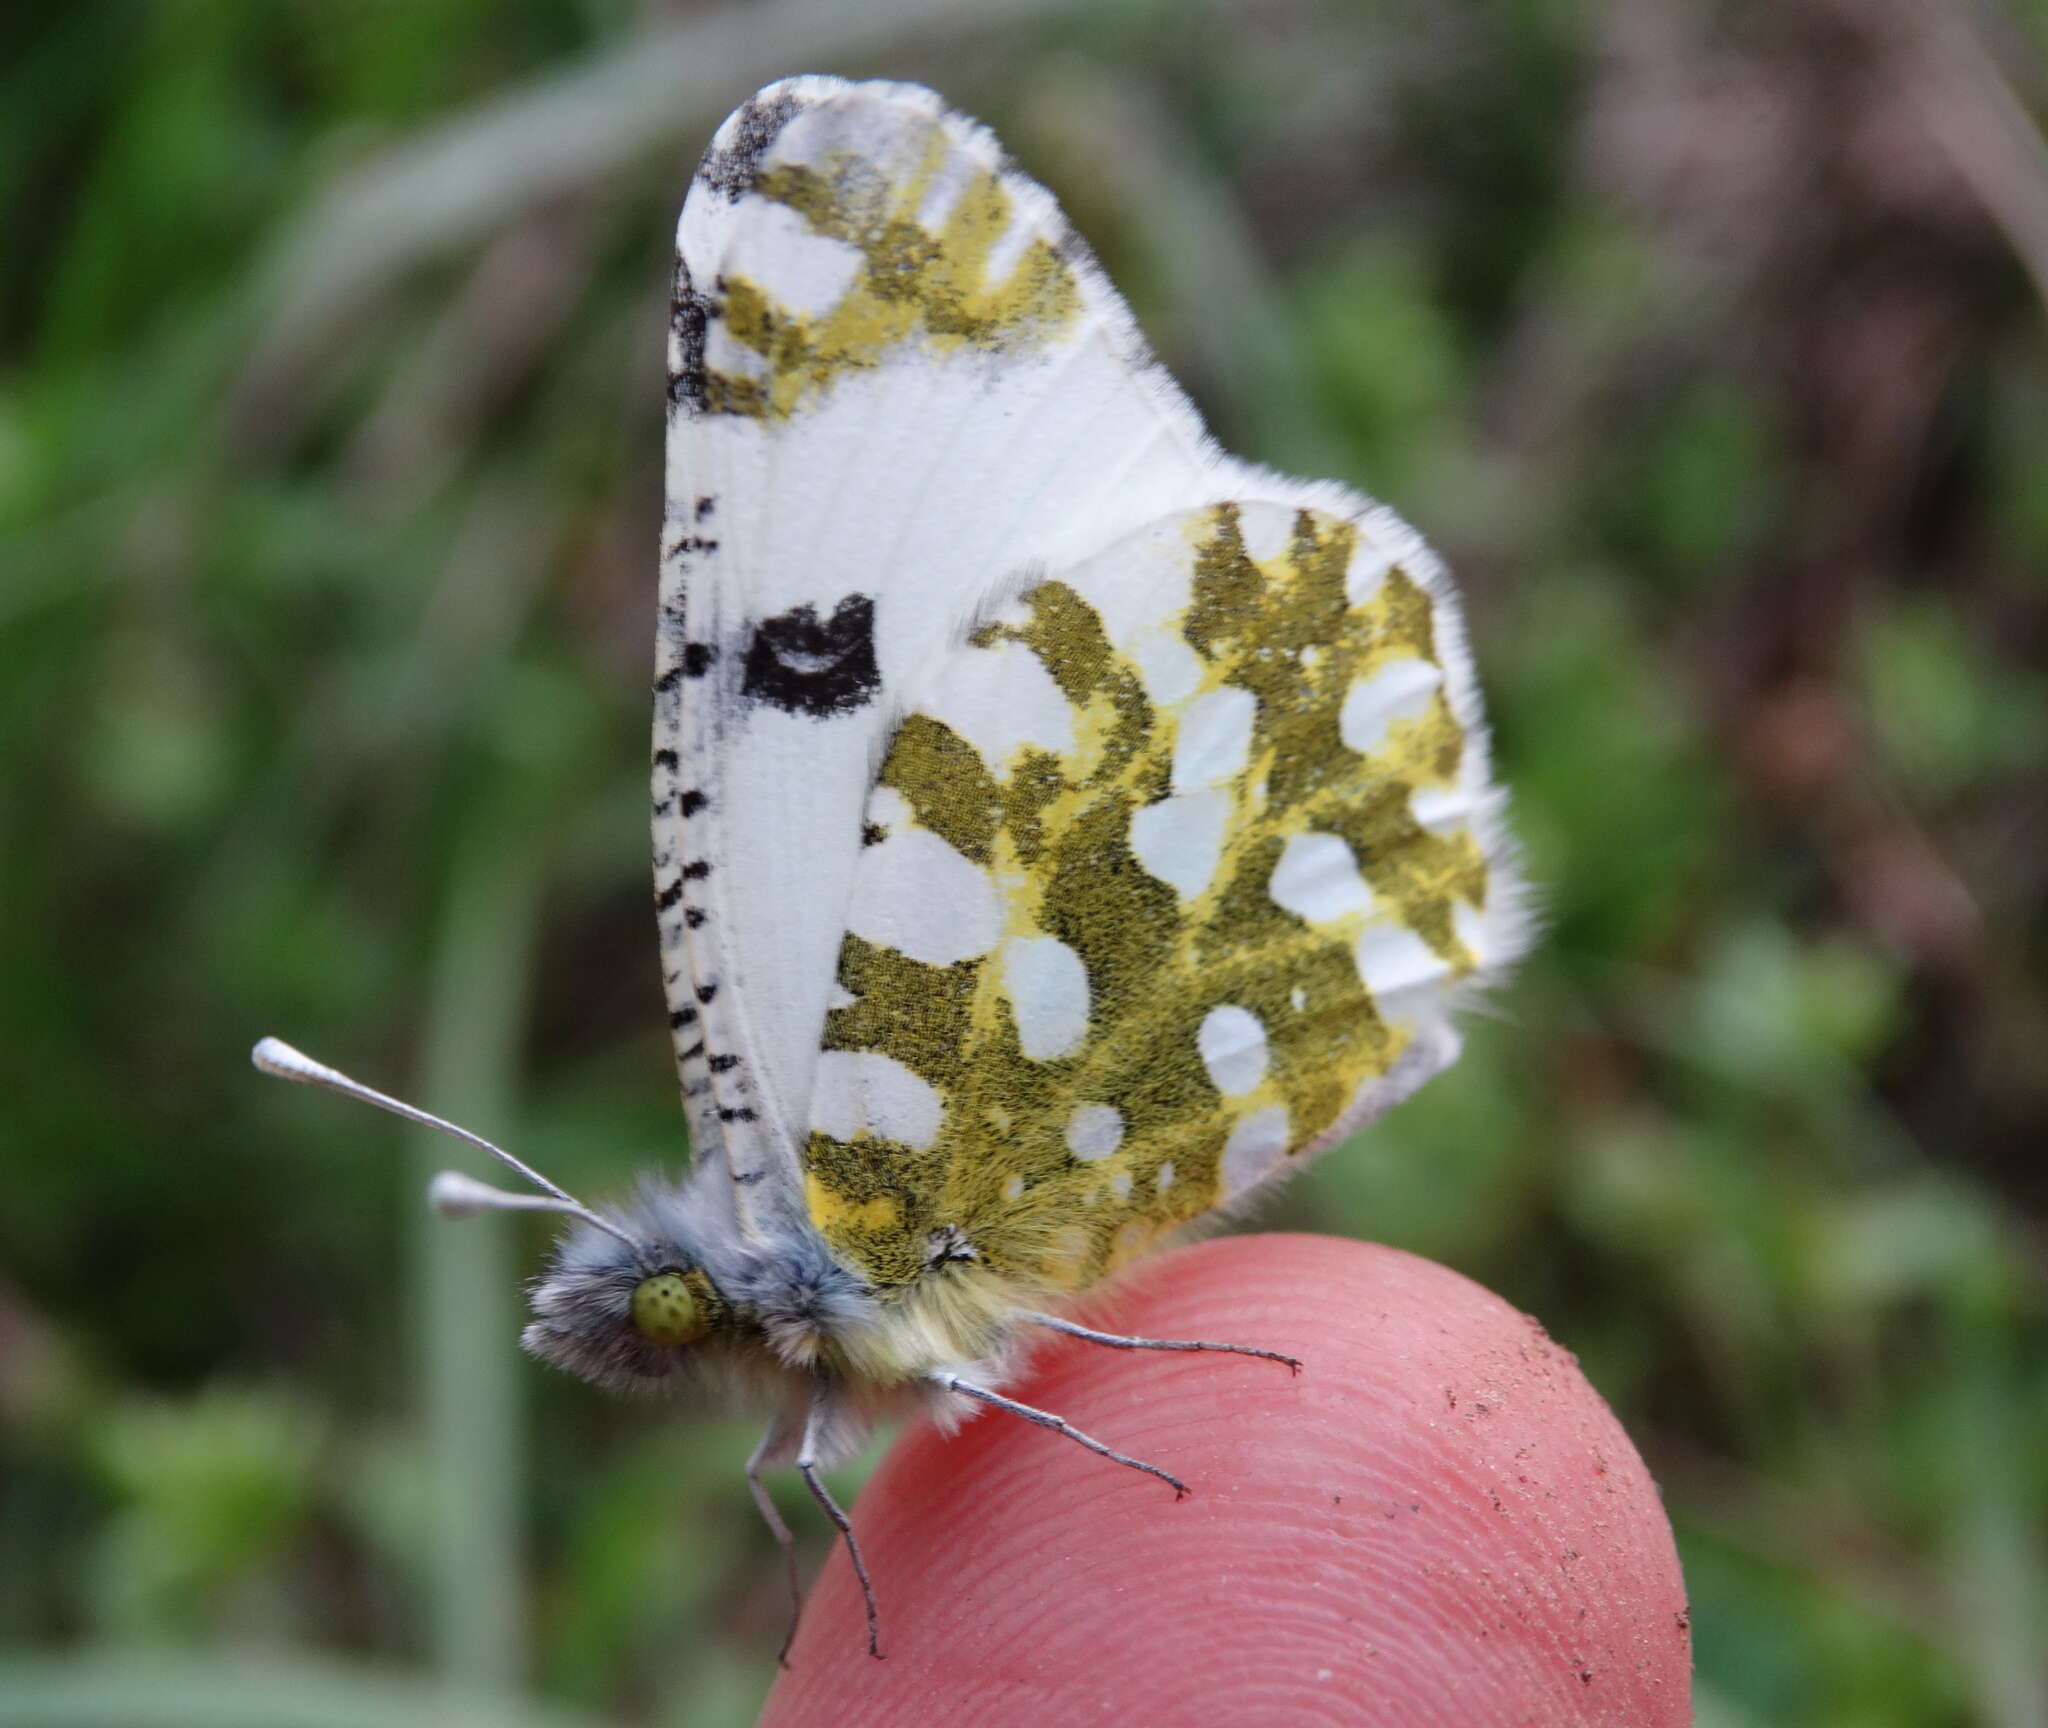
(1439, 1522)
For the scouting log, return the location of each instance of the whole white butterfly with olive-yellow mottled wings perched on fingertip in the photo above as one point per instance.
(1062, 828)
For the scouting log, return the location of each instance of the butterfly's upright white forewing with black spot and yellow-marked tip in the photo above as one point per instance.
(896, 382)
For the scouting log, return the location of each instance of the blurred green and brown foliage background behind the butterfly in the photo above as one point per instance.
(1707, 343)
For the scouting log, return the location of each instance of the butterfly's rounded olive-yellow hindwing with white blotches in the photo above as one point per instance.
(1172, 875)
